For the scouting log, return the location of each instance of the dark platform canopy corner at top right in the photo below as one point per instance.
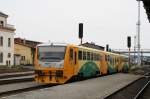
(146, 4)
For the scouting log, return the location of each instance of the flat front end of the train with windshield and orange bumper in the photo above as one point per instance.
(49, 64)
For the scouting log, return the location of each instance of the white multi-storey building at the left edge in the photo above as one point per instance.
(6, 41)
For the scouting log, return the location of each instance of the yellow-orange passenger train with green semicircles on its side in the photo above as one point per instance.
(58, 63)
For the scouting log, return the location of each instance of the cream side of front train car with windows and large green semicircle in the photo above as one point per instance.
(89, 63)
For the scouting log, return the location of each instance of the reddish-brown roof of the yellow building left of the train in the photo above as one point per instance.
(25, 42)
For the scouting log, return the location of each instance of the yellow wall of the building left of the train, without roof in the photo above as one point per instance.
(23, 54)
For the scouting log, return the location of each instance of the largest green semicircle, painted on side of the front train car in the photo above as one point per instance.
(89, 69)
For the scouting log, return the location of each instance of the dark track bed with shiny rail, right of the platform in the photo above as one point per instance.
(138, 89)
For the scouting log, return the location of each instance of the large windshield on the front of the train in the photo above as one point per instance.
(51, 53)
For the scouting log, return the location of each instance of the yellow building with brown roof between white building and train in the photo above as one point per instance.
(24, 51)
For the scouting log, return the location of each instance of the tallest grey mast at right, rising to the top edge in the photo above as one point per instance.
(138, 34)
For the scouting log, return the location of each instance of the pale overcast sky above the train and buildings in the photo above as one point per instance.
(105, 21)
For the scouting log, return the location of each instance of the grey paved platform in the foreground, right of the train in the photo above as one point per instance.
(96, 88)
